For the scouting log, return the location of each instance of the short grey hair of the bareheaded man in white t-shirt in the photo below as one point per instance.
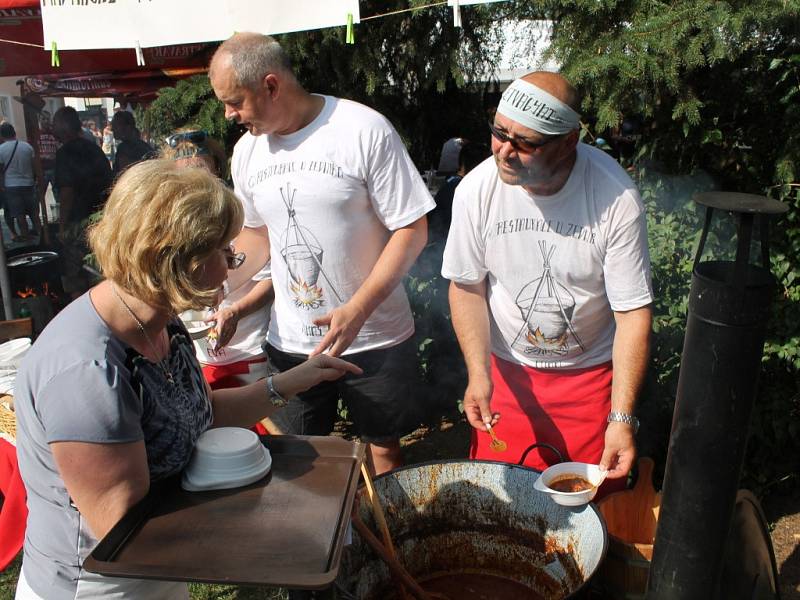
(253, 56)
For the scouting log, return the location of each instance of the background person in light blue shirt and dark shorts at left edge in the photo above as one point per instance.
(20, 172)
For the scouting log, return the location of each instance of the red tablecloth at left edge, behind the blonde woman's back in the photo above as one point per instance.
(14, 512)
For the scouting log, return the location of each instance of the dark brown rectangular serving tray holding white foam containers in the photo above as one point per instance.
(285, 530)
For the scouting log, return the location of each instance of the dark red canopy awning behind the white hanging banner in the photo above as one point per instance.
(88, 73)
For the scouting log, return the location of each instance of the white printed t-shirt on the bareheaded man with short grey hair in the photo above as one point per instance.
(330, 195)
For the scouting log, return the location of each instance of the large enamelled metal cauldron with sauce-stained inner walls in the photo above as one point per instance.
(481, 518)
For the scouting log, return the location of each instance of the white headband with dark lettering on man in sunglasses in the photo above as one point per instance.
(535, 109)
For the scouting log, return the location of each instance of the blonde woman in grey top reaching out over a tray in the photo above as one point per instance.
(110, 397)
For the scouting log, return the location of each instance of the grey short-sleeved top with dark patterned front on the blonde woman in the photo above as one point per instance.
(80, 383)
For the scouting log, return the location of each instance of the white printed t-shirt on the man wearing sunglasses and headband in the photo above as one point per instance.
(557, 265)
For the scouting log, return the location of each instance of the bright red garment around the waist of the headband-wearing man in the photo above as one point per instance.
(564, 408)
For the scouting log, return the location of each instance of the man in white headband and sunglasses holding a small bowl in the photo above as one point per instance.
(550, 293)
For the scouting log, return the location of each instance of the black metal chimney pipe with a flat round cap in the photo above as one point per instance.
(726, 323)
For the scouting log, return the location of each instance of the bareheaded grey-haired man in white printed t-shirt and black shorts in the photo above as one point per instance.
(329, 183)
